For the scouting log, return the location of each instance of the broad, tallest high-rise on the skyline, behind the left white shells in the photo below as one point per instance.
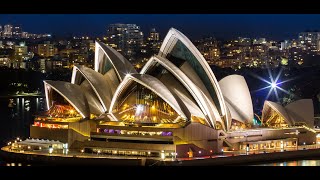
(125, 38)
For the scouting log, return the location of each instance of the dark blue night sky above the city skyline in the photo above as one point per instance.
(278, 27)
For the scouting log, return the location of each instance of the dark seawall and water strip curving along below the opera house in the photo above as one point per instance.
(252, 159)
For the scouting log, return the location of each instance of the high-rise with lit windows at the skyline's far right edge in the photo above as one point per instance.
(309, 40)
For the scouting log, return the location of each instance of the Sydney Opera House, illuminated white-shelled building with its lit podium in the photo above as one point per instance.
(173, 107)
